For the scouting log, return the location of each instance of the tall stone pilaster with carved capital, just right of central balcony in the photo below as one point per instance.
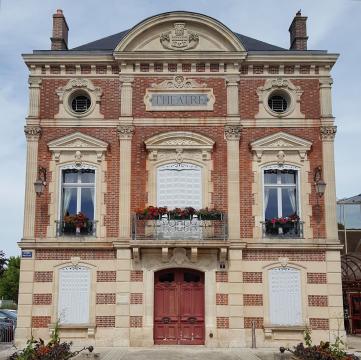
(233, 135)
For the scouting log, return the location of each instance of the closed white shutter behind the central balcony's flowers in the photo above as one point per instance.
(179, 185)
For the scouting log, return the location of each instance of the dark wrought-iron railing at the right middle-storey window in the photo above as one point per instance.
(290, 229)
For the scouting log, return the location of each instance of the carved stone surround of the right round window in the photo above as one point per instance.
(280, 85)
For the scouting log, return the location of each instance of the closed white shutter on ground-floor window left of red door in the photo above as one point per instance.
(74, 294)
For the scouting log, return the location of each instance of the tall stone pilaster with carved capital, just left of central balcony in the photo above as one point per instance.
(125, 133)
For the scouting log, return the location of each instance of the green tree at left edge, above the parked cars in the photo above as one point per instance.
(9, 280)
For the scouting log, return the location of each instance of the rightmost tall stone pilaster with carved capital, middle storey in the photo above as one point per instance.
(328, 135)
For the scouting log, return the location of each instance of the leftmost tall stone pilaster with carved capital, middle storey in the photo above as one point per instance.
(32, 134)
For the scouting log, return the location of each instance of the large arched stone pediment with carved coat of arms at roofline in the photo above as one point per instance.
(180, 31)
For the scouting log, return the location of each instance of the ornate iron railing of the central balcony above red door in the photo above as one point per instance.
(188, 229)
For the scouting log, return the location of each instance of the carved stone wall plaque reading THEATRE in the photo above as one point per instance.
(179, 94)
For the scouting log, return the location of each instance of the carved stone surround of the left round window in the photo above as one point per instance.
(65, 93)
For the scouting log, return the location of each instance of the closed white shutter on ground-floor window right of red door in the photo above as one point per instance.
(285, 296)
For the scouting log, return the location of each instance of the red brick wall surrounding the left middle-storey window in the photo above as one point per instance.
(108, 135)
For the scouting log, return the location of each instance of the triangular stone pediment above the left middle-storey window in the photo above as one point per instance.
(77, 141)
